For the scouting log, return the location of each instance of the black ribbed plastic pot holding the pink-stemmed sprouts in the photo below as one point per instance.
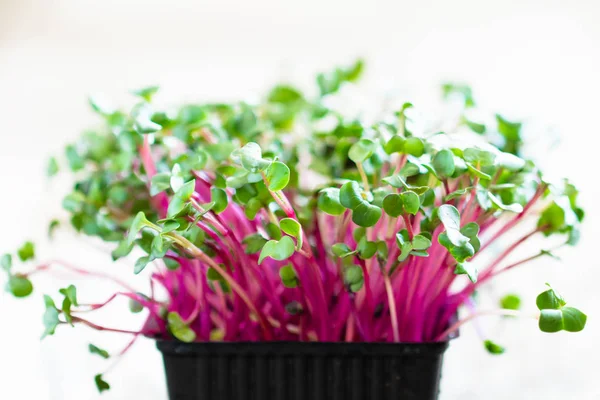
(302, 371)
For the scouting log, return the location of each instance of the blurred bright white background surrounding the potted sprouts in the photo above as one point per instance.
(533, 59)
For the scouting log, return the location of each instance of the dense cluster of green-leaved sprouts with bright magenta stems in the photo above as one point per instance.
(220, 204)
